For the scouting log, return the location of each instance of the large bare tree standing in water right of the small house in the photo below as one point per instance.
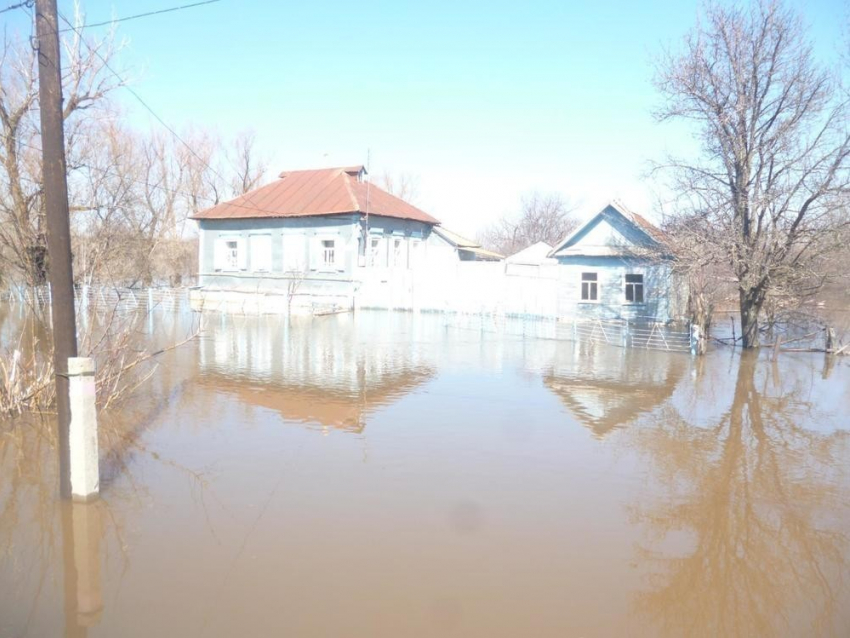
(768, 185)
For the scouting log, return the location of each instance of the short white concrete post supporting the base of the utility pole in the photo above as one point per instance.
(85, 473)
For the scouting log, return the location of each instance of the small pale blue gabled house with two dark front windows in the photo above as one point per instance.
(615, 266)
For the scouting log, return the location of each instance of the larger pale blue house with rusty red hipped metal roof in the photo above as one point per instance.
(321, 230)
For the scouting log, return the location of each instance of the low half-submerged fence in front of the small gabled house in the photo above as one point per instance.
(612, 332)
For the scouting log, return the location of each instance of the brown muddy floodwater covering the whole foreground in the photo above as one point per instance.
(397, 475)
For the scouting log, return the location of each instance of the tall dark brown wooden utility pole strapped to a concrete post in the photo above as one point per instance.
(55, 183)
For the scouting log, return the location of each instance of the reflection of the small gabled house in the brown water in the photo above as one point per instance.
(606, 388)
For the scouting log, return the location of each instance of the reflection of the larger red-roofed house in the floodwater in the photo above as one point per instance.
(320, 371)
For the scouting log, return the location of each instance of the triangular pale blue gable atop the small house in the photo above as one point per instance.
(611, 232)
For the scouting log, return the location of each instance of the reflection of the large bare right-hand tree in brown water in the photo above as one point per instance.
(764, 501)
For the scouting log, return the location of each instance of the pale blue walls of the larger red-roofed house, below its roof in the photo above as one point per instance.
(297, 240)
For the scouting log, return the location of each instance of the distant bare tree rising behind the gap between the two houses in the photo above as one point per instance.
(542, 217)
